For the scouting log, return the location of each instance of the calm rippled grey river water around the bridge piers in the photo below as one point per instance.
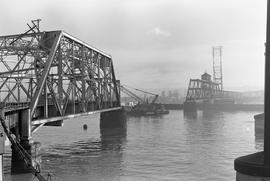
(170, 147)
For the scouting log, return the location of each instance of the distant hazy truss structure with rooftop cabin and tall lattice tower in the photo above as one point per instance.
(208, 90)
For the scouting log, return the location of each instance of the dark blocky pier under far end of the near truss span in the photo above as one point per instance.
(113, 119)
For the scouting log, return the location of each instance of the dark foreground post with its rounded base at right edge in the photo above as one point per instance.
(256, 167)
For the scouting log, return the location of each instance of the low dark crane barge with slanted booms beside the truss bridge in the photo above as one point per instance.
(143, 108)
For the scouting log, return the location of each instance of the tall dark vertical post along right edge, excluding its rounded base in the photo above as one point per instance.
(267, 92)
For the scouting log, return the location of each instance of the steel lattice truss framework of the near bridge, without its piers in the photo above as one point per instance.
(55, 74)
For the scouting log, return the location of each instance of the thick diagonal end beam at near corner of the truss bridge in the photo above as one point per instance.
(44, 75)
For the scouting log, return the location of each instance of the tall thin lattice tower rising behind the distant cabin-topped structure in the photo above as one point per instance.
(217, 65)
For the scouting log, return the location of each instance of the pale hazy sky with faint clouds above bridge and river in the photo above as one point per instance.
(157, 44)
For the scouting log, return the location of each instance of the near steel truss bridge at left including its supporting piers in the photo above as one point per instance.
(49, 76)
